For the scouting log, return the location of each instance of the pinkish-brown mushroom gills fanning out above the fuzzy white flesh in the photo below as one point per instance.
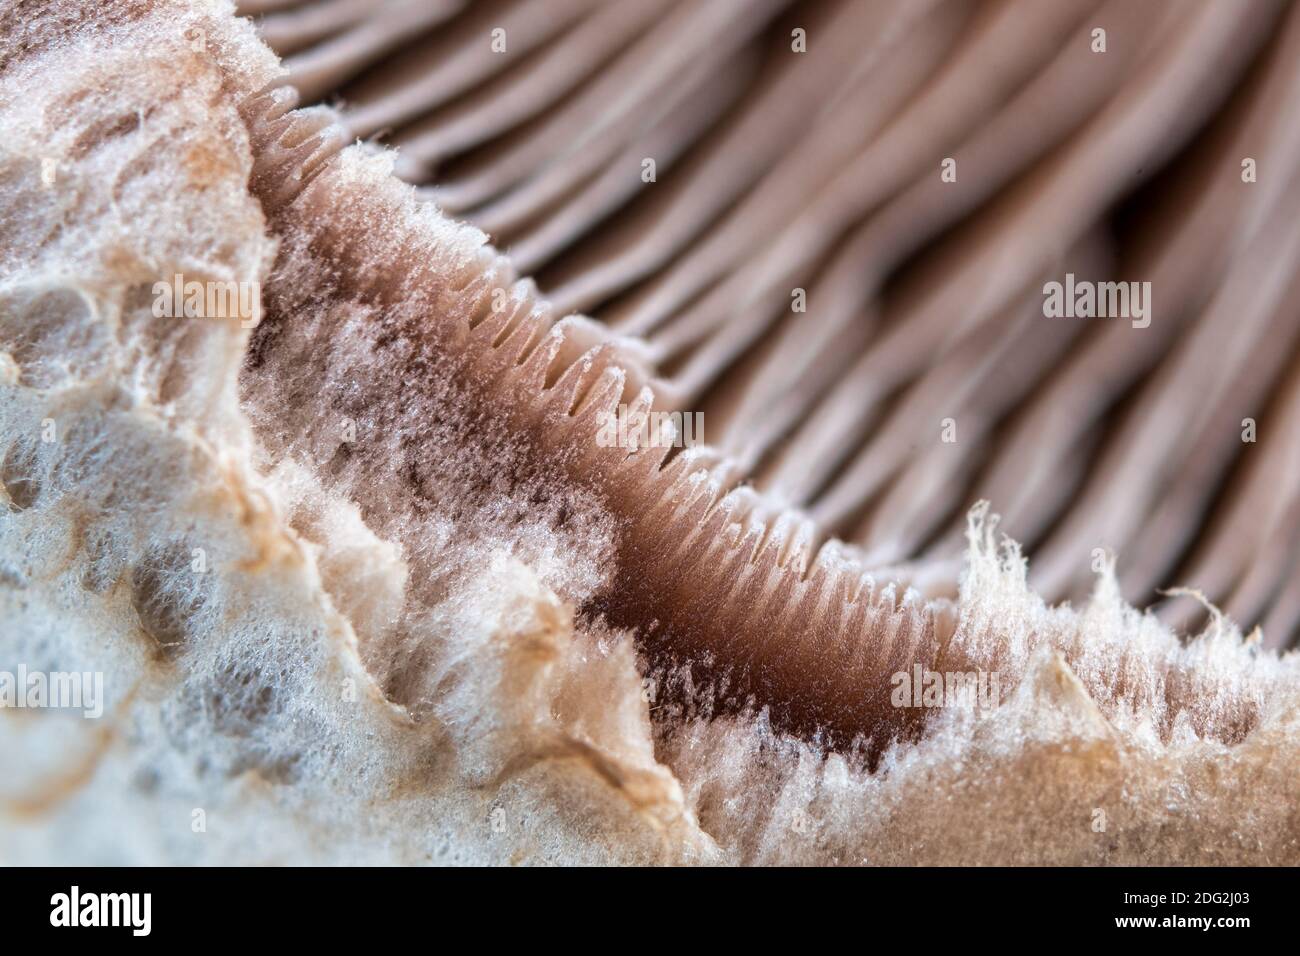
(917, 373)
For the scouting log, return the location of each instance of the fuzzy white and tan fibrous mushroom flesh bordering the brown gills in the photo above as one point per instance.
(311, 656)
